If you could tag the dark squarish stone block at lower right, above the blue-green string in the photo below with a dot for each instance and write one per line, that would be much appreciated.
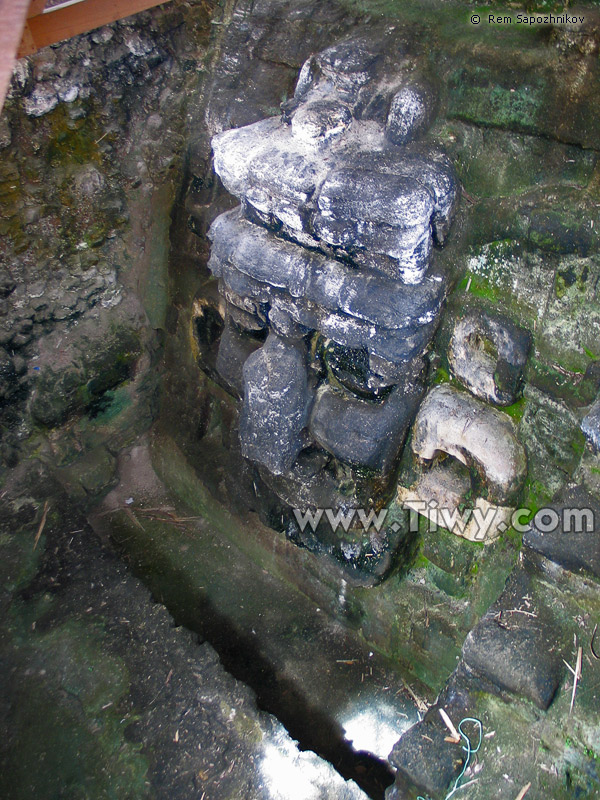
(517, 646)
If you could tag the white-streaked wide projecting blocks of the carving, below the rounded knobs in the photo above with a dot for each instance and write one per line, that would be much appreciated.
(386, 202)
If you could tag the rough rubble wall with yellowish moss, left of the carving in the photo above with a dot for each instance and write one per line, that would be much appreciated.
(93, 138)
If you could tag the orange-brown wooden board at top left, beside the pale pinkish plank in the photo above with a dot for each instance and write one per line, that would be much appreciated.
(63, 23)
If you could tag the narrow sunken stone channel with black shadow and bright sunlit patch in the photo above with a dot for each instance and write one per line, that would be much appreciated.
(335, 696)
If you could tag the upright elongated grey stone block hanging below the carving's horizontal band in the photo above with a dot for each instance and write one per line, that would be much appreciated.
(276, 404)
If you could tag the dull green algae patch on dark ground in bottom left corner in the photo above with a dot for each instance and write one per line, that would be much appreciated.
(66, 718)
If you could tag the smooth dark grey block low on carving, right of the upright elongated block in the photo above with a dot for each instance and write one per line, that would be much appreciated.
(368, 433)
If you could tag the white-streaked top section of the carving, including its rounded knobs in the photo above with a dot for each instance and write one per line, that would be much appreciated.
(328, 175)
